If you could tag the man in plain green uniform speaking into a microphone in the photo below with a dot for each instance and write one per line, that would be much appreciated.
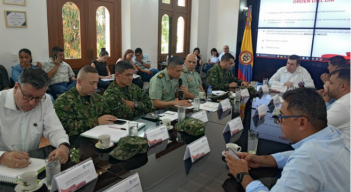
(164, 85)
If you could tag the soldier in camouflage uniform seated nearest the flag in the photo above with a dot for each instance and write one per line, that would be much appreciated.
(219, 76)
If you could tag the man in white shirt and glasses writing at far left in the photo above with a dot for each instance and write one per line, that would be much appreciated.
(26, 113)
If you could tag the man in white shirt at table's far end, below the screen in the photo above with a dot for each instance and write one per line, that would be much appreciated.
(292, 74)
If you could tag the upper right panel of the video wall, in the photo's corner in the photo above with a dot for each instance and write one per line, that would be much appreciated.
(334, 14)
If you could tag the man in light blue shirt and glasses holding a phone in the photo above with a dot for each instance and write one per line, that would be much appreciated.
(322, 156)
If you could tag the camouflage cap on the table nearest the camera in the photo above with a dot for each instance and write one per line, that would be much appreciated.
(129, 146)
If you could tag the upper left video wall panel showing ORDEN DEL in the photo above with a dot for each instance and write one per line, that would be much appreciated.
(287, 13)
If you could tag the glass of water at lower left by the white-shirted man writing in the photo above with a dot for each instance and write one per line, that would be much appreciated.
(52, 167)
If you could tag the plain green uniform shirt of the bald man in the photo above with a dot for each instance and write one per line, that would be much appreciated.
(191, 80)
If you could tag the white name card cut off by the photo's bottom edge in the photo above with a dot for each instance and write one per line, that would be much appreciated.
(130, 184)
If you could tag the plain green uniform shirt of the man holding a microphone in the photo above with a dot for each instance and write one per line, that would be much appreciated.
(162, 87)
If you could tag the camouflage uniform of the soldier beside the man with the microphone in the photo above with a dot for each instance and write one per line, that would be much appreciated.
(114, 95)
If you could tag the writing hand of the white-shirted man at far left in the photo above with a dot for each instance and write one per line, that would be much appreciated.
(15, 159)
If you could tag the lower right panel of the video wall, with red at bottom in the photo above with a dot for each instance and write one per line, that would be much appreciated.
(330, 42)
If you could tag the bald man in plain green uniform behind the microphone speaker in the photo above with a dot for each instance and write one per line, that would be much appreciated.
(191, 78)
